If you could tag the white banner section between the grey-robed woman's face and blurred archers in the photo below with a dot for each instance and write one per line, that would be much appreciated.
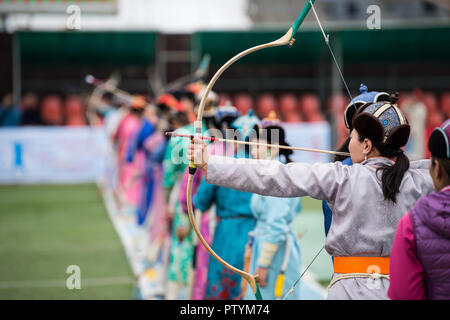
(309, 135)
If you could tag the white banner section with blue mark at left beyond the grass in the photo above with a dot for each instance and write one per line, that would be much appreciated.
(52, 154)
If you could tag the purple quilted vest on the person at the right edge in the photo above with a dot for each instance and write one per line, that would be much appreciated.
(430, 219)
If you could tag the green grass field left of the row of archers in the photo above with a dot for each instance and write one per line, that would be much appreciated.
(46, 228)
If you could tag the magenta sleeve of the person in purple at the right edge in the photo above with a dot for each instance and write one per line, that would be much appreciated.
(405, 270)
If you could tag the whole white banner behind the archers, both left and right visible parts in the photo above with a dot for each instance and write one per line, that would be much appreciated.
(76, 155)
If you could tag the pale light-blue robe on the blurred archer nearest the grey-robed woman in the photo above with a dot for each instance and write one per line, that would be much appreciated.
(274, 218)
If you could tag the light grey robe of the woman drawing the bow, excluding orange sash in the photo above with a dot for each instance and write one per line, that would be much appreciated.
(363, 222)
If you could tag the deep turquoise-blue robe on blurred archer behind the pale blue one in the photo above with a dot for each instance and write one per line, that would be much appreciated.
(235, 221)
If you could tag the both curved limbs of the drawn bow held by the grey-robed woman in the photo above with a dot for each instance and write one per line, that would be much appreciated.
(286, 39)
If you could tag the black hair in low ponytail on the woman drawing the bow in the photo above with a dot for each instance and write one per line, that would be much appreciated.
(392, 176)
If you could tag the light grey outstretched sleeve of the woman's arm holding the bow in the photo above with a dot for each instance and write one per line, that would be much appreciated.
(272, 178)
